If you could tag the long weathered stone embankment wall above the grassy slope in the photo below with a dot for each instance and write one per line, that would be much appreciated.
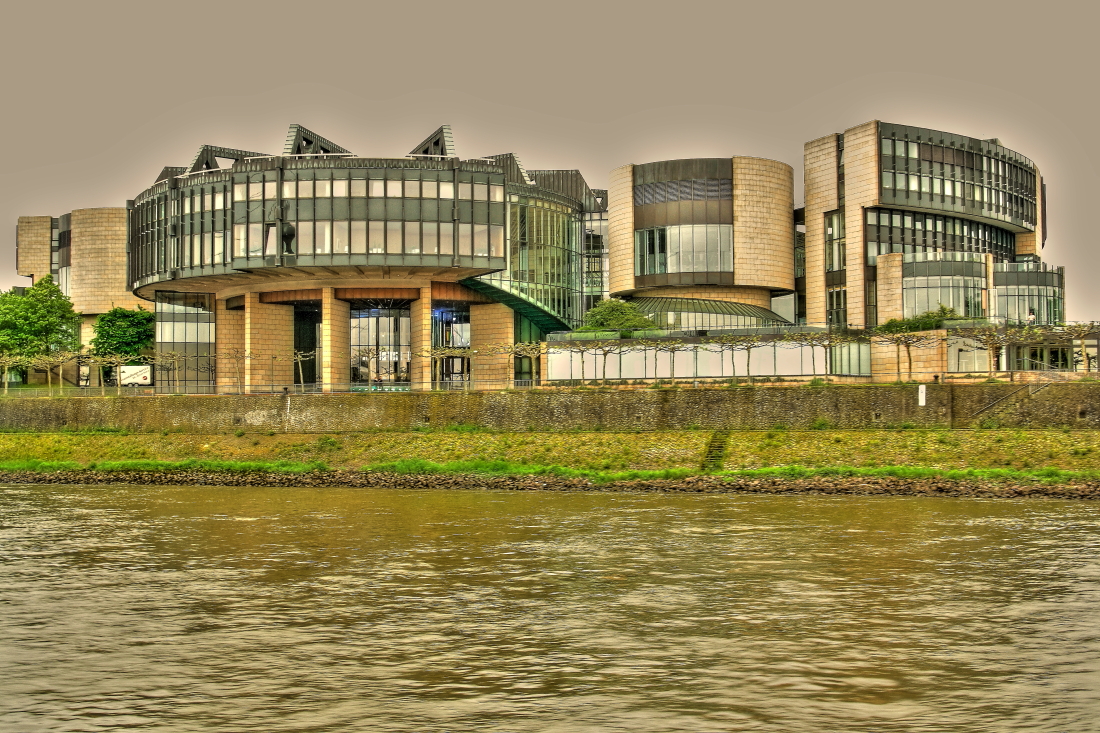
(1007, 406)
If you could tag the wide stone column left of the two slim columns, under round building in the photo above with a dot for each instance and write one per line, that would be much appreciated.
(269, 332)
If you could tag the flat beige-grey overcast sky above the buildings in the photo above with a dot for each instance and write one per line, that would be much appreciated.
(101, 96)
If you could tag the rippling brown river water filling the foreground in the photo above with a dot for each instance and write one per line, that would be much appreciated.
(208, 609)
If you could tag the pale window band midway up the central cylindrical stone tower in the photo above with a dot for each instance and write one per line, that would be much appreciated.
(685, 248)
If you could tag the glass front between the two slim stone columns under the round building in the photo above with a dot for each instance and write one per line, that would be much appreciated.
(381, 343)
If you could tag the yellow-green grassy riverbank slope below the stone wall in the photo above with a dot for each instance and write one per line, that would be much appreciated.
(591, 454)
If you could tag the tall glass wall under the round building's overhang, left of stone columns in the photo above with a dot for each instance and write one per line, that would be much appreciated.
(185, 326)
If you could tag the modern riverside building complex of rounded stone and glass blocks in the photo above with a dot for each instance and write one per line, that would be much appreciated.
(322, 267)
